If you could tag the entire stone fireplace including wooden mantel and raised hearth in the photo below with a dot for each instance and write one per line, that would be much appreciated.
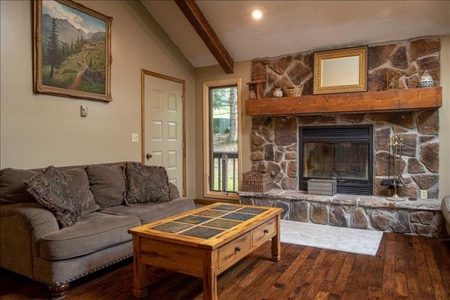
(276, 147)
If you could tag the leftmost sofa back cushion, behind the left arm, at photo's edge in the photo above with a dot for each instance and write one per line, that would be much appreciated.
(12, 188)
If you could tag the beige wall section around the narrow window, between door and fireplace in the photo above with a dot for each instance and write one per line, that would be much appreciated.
(242, 71)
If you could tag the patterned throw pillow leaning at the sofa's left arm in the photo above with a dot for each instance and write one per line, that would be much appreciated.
(51, 191)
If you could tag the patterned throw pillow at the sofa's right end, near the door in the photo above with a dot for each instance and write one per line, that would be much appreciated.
(146, 184)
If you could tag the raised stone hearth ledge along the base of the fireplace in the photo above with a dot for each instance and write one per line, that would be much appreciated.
(420, 217)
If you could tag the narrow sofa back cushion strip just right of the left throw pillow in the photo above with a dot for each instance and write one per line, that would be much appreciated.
(78, 183)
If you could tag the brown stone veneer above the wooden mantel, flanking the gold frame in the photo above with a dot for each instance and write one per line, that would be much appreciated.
(408, 59)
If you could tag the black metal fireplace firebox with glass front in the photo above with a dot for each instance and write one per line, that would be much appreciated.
(343, 153)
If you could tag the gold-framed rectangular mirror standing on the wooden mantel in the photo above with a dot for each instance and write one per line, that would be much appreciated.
(340, 71)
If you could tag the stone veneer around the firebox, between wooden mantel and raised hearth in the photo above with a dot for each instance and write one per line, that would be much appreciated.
(420, 161)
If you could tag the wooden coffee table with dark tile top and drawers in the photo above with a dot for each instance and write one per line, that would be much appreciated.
(203, 242)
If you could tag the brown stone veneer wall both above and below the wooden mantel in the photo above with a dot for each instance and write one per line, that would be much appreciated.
(274, 139)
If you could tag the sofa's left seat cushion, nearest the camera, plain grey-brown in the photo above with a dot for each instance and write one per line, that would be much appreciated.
(93, 232)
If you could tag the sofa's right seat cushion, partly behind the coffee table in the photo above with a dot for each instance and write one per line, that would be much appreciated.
(150, 213)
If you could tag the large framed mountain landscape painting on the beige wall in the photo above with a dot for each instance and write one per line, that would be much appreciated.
(72, 50)
